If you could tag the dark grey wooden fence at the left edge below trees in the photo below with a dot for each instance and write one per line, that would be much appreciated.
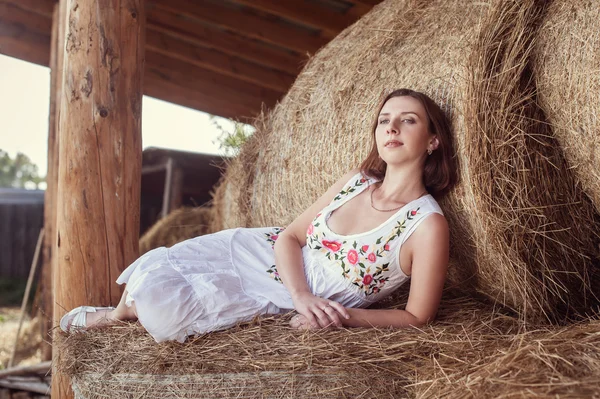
(21, 218)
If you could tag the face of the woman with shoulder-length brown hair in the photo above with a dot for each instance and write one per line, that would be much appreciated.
(402, 132)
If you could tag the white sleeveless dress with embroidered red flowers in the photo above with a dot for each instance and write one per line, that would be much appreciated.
(214, 281)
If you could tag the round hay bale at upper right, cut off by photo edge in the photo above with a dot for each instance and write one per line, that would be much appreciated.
(567, 66)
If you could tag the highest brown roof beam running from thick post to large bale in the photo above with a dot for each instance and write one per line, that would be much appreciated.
(224, 41)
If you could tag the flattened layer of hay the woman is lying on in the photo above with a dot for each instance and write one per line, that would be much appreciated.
(472, 350)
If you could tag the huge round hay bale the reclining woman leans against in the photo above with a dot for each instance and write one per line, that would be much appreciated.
(522, 233)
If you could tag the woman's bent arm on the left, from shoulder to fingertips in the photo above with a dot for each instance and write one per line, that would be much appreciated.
(288, 258)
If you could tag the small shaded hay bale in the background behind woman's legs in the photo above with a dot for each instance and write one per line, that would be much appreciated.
(177, 226)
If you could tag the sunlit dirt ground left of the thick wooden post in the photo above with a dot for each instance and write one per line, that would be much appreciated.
(28, 351)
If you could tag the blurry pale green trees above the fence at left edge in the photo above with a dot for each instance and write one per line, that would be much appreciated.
(19, 172)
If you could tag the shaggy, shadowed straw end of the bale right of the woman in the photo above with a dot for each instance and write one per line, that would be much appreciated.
(535, 231)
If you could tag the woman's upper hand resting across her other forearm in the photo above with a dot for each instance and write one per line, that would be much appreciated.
(319, 312)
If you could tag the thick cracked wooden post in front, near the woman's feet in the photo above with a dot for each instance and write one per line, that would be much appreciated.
(99, 170)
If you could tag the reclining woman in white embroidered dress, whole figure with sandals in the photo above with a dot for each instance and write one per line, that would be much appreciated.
(377, 227)
